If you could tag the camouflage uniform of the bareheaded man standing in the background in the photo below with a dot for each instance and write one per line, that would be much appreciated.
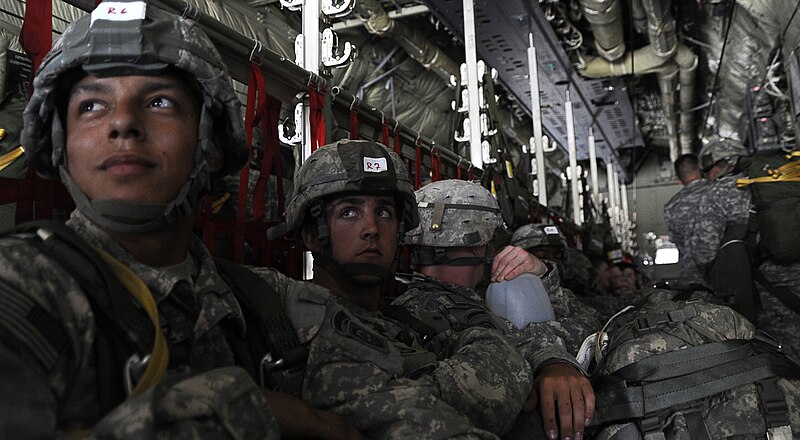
(681, 216)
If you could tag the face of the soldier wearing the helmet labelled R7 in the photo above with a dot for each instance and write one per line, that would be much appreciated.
(363, 229)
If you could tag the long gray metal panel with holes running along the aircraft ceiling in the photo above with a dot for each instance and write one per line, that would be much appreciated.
(502, 27)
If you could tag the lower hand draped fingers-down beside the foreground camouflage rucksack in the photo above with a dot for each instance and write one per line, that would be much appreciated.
(566, 393)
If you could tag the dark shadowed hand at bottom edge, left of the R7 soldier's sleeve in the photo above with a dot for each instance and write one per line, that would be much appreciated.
(298, 419)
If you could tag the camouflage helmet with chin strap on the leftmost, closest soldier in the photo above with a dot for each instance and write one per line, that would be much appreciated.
(132, 39)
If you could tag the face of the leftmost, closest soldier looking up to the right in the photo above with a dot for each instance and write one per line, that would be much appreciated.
(131, 138)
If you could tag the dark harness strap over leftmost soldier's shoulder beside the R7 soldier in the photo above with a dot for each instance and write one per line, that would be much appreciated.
(282, 357)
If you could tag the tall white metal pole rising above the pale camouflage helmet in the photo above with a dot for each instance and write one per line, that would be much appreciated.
(471, 56)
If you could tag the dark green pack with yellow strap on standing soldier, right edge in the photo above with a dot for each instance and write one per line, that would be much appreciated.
(774, 180)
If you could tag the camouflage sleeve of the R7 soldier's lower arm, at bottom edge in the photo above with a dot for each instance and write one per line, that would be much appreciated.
(365, 386)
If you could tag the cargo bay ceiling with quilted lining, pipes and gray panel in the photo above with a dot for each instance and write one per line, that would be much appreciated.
(649, 76)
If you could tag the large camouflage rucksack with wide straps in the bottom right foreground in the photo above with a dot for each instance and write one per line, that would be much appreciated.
(692, 370)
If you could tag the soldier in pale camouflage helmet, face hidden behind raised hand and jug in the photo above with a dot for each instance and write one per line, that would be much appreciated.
(452, 255)
